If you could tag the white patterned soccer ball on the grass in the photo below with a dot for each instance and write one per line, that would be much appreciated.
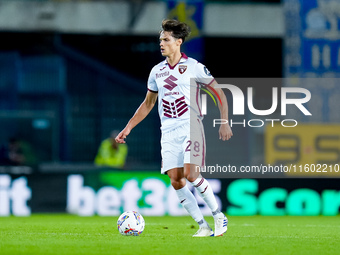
(131, 223)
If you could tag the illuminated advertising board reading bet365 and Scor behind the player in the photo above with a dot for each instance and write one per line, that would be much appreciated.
(109, 193)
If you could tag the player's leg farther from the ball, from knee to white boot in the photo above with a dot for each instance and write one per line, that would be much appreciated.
(204, 189)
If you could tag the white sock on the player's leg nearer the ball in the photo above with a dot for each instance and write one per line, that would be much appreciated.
(187, 199)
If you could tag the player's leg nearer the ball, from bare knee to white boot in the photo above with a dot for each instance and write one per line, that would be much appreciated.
(188, 201)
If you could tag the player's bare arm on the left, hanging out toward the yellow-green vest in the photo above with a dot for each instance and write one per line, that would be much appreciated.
(142, 111)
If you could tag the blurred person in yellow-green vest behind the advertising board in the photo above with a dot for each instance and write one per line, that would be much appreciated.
(111, 153)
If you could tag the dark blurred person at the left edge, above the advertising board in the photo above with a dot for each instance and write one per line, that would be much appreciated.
(18, 153)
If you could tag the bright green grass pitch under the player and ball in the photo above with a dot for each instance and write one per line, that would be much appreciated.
(67, 234)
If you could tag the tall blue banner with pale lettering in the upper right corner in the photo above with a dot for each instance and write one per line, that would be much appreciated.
(312, 50)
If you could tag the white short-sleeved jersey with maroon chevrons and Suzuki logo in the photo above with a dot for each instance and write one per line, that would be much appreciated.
(175, 98)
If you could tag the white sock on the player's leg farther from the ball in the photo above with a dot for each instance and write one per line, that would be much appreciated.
(205, 191)
